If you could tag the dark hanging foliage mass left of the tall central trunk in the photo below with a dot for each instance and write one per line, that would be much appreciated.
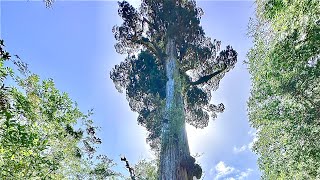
(144, 80)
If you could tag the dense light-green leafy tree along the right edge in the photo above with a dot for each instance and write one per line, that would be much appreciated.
(285, 96)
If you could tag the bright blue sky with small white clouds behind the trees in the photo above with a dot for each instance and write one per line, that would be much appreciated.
(73, 44)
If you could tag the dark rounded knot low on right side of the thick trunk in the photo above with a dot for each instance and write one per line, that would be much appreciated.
(191, 166)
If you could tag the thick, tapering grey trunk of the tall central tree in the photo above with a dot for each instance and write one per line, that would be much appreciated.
(174, 145)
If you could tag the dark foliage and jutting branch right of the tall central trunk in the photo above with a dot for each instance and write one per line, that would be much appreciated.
(199, 84)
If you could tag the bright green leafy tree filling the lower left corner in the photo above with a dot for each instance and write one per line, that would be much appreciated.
(38, 134)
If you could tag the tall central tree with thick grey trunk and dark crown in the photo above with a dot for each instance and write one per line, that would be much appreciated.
(168, 76)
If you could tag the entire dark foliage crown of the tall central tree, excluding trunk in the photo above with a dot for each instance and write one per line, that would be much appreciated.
(143, 35)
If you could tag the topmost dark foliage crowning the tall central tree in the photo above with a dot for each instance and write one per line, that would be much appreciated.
(155, 22)
